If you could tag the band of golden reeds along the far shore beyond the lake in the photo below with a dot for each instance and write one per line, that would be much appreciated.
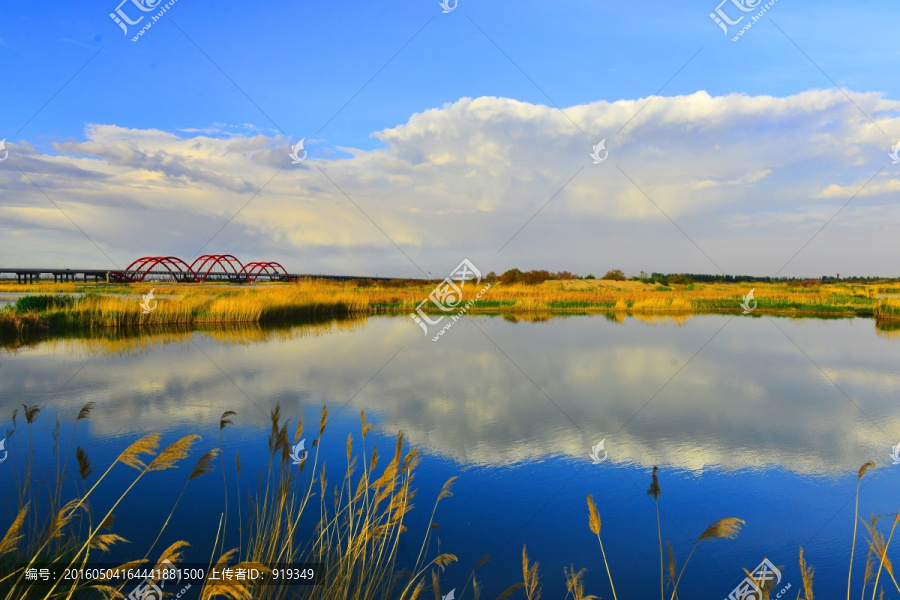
(56, 308)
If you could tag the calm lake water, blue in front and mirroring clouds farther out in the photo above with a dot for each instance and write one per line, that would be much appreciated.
(765, 419)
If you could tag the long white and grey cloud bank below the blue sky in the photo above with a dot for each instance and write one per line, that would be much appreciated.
(463, 178)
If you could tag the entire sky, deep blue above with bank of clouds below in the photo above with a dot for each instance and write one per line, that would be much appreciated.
(291, 70)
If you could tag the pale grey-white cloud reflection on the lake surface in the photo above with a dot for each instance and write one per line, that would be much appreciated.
(749, 399)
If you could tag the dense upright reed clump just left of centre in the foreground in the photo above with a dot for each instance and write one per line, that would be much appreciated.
(360, 519)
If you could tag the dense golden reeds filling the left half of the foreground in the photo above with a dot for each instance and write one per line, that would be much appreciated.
(358, 521)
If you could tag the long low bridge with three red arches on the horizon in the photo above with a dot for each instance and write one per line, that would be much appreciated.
(209, 267)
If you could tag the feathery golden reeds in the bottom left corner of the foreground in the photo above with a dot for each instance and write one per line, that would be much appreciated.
(67, 535)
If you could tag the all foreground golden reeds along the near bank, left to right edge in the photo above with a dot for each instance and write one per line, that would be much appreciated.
(355, 540)
